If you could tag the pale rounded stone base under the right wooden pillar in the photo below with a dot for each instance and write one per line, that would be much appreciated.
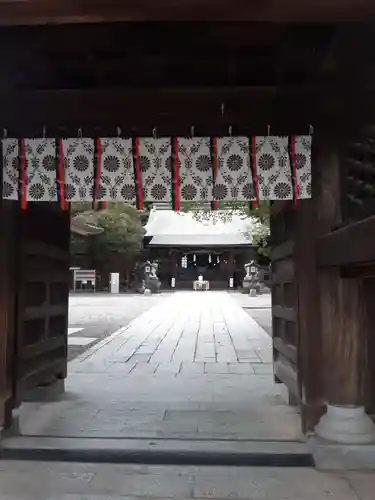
(346, 424)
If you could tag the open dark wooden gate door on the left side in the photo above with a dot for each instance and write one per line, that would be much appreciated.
(42, 301)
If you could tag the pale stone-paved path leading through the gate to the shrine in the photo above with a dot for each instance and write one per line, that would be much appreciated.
(195, 366)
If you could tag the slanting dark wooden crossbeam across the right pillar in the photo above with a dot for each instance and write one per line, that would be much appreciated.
(352, 244)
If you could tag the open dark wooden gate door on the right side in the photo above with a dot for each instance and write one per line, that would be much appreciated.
(295, 307)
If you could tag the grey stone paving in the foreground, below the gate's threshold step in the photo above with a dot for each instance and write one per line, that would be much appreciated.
(42, 481)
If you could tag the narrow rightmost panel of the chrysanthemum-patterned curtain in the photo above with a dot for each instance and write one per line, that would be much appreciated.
(303, 165)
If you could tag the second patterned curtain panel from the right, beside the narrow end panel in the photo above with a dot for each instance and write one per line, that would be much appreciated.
(273, 168)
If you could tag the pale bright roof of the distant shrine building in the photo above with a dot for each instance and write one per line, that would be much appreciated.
(168, 228)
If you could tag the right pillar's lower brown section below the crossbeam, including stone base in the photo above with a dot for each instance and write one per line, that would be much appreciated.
(344, 355)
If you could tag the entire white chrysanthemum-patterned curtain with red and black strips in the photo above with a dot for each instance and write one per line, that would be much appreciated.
(159, 163)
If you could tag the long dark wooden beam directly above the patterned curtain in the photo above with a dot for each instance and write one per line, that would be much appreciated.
(171, 110)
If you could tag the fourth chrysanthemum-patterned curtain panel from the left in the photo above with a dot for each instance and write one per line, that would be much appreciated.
(116, 171)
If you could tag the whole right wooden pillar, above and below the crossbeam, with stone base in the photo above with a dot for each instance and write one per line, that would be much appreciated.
(343, 317)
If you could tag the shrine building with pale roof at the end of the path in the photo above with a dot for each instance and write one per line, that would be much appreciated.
(187, 247)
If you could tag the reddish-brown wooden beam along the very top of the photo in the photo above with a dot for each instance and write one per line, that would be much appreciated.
(30, 12)
